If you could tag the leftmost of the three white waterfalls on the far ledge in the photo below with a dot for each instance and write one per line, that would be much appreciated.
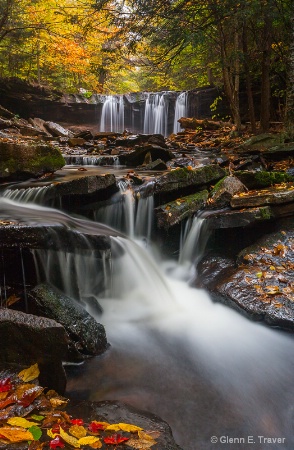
(112, 115)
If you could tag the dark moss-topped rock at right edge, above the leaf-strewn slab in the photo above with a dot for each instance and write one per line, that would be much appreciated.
(260, 179)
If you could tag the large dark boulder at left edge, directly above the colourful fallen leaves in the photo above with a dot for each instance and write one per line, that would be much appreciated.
(27, 339)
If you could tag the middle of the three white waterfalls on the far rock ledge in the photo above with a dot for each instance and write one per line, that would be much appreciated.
(156, 114)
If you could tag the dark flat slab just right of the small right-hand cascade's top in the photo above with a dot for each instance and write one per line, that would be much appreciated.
(239, 218)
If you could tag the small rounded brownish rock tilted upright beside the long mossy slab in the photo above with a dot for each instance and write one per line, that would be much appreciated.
(224, 191)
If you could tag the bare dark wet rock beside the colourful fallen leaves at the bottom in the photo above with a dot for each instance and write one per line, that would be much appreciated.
(117, 412)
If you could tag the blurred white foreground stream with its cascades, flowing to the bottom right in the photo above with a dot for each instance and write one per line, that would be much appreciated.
(199, 365)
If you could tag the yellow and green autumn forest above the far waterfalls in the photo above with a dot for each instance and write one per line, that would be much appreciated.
(138, 45)
